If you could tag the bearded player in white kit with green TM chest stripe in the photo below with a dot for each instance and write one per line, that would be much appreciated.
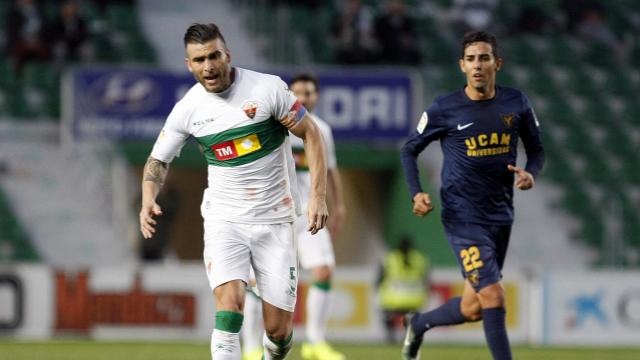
(240, 119)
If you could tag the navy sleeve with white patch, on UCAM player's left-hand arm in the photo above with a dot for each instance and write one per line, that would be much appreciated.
(430, 127)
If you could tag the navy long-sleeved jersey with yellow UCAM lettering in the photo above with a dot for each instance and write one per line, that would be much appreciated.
(478, 139)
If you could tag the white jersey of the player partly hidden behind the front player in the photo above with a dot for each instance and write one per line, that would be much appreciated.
(302, 167)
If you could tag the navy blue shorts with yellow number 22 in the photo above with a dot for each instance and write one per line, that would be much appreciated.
(480, 250)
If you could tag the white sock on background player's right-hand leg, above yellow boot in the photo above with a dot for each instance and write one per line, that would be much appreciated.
(318, 306)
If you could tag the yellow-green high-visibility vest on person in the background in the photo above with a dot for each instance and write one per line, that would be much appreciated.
(403, 287)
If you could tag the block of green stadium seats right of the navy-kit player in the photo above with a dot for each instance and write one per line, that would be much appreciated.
(609, 161)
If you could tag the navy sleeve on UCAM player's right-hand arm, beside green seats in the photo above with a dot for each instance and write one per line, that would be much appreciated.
(531, 139)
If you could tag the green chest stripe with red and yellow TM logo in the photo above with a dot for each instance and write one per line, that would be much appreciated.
(242, 145)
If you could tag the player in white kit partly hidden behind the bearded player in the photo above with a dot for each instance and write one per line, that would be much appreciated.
(315, 251)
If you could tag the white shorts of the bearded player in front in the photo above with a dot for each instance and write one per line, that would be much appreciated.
(230, 249)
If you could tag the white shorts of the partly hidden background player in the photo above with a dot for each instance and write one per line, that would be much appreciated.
(314, 250)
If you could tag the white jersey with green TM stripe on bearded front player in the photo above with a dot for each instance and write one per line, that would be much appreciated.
(251, 170)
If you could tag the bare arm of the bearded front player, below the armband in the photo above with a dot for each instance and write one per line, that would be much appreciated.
(314, 149)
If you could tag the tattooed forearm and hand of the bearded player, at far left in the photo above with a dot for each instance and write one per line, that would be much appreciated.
(153, 177)
